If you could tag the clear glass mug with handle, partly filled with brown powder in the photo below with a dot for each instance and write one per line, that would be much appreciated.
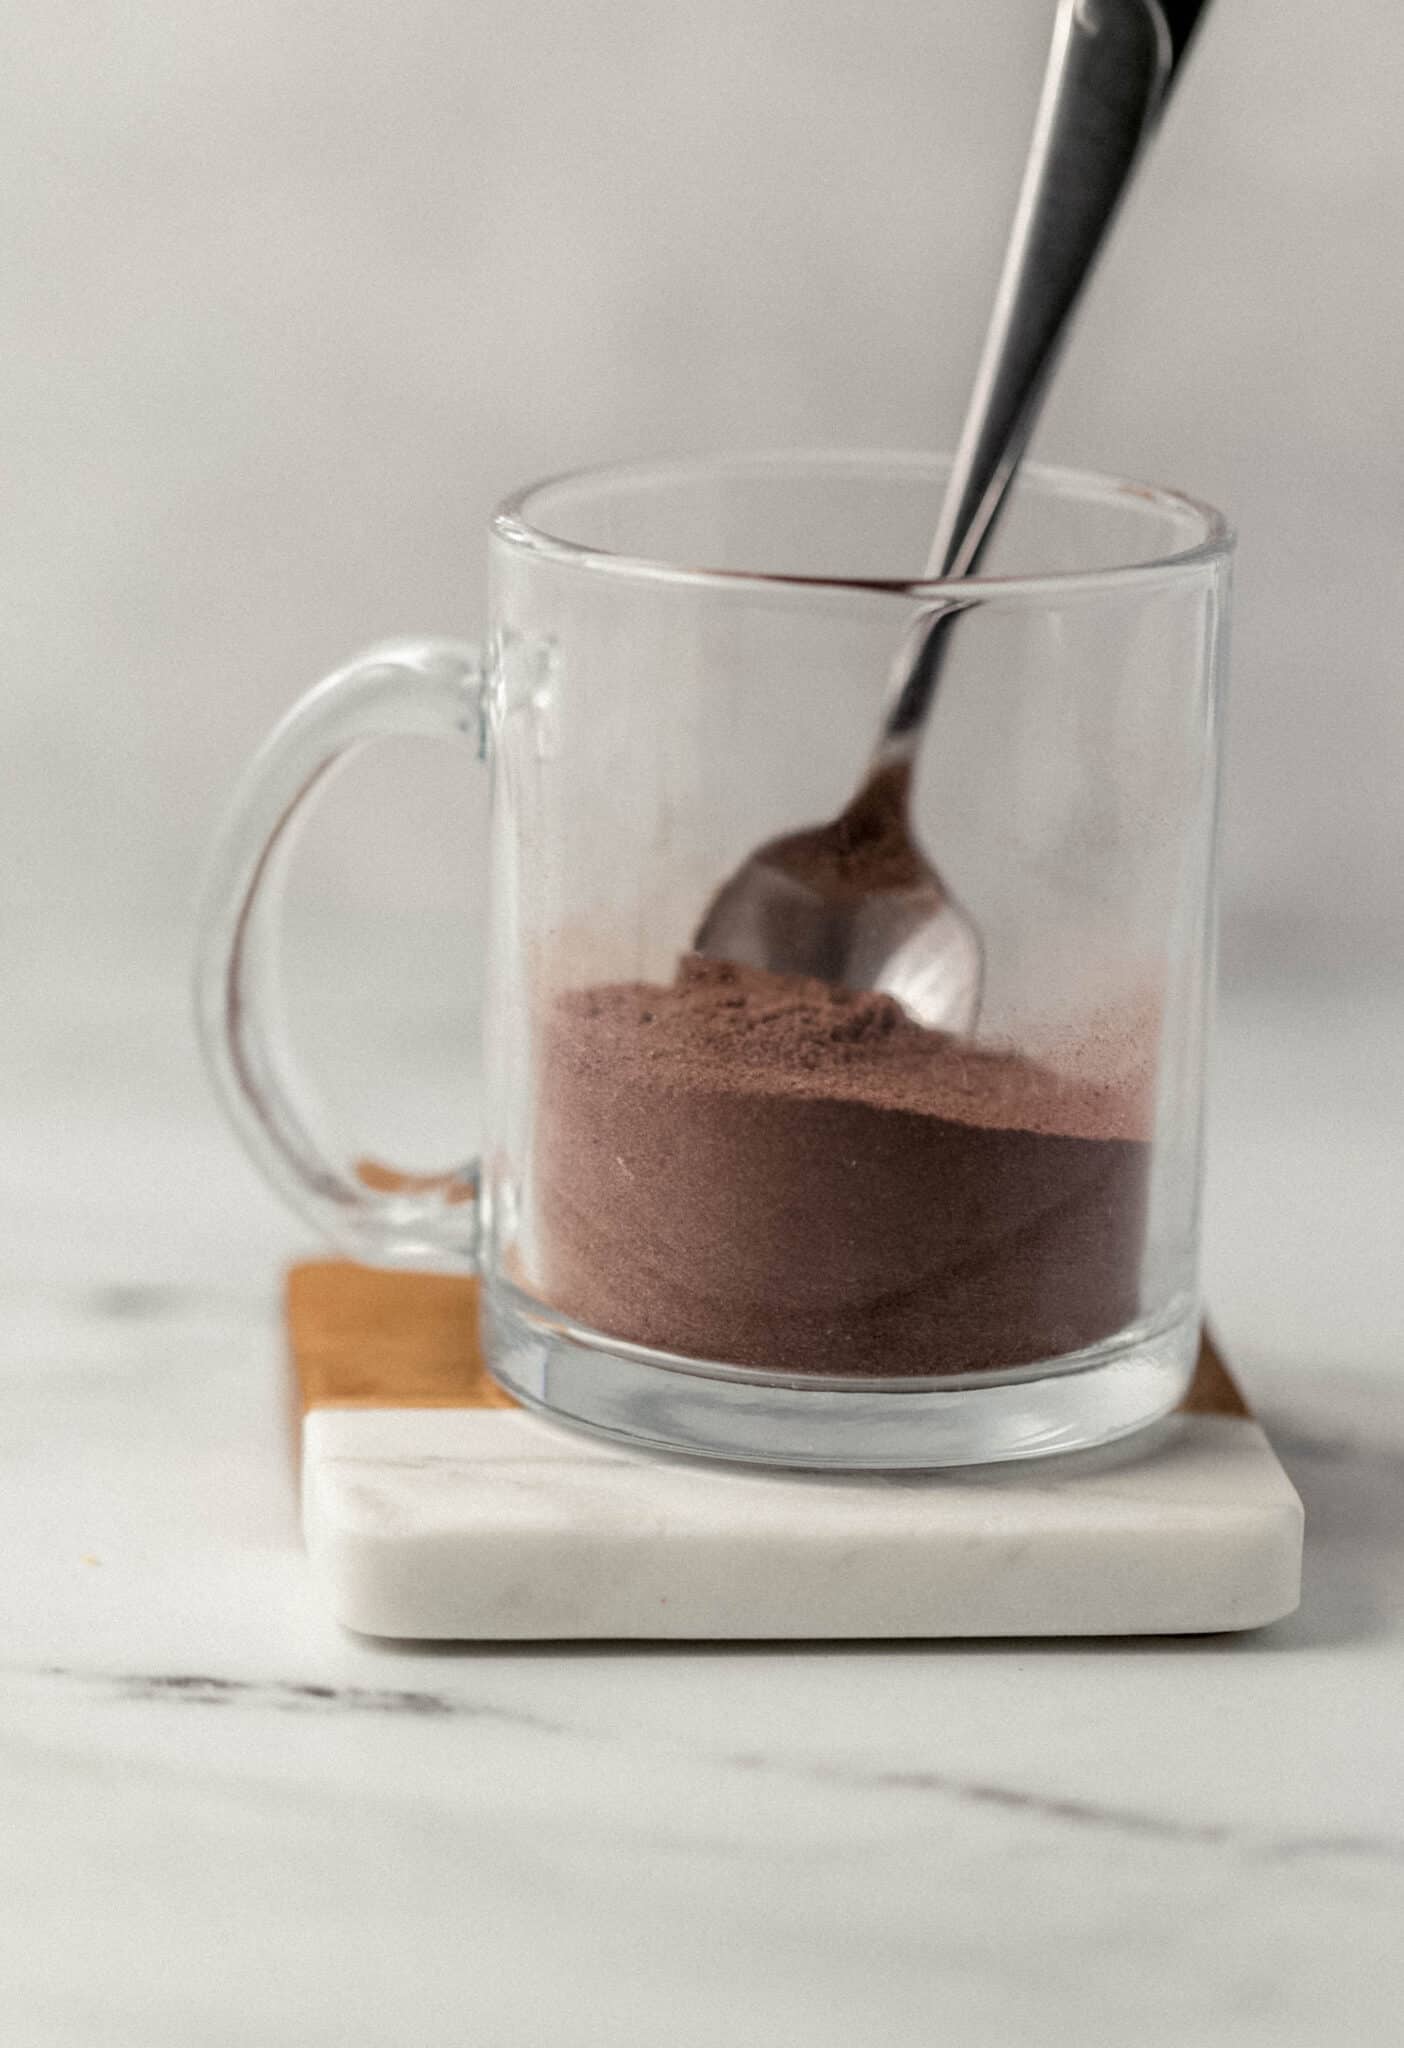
(779, 1222)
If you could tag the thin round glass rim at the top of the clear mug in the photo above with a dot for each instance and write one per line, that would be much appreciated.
(517, 525)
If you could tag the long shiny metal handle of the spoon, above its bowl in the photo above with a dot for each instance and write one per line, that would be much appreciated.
(1110, 71)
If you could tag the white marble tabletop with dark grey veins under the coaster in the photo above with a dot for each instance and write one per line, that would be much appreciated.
(224, 1822)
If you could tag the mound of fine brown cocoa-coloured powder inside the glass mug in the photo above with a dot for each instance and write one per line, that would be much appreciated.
(789, 1177)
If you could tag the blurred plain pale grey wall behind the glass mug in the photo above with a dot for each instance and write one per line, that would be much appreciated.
(294, 294)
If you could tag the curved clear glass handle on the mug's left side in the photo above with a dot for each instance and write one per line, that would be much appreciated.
(376, 1215)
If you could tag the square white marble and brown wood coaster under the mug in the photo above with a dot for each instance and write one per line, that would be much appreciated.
(437, 1508)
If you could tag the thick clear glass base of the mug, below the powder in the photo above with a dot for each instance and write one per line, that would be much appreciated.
(664, 1402)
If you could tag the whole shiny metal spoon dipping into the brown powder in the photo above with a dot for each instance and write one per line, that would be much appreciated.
(857, 900)
